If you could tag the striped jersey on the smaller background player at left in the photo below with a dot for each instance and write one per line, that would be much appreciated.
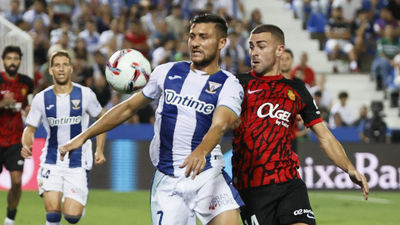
(64, 116)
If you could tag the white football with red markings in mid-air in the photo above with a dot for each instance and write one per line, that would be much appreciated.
(127, 71)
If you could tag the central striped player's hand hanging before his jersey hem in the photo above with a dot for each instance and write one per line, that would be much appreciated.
(195, 163)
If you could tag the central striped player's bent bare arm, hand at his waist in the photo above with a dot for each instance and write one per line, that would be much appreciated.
(223, 120)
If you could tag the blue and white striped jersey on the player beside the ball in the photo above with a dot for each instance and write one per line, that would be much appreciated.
(187, 102)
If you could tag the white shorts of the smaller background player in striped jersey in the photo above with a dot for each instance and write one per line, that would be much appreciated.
(72, 182)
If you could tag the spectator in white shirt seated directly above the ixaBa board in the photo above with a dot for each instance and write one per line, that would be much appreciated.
(341, 113)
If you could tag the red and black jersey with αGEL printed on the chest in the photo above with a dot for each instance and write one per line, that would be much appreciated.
(261, 145)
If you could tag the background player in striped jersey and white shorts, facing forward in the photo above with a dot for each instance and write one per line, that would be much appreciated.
(64, 109)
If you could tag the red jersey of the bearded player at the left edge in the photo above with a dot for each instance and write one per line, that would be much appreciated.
(10, 119)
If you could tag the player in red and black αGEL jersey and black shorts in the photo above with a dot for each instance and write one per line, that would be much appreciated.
(264, 166)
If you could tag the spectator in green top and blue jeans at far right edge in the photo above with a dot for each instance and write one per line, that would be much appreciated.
(387, 48)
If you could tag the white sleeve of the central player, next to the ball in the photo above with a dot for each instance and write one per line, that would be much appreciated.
(153, 88)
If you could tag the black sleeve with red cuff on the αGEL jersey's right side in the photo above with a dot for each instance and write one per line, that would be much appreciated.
(310, 113)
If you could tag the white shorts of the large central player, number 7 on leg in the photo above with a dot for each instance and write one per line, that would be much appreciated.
(178, 200)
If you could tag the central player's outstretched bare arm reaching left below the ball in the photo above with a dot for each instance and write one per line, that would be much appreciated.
(112, 118)
